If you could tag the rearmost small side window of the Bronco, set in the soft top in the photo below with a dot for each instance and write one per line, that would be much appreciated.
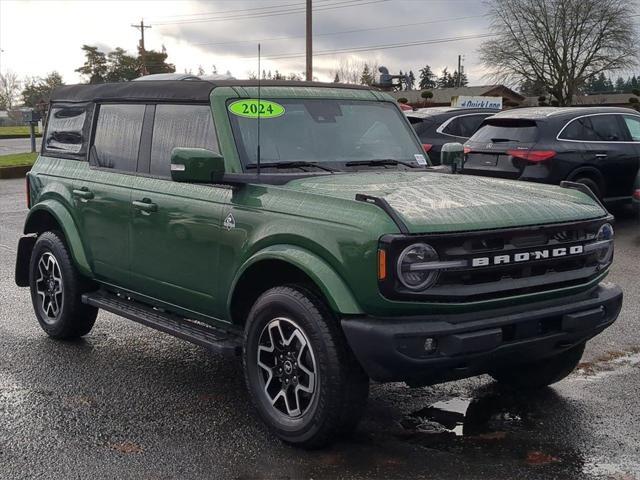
(67, 130)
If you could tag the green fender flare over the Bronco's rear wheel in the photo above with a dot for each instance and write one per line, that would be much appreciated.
(68, 227)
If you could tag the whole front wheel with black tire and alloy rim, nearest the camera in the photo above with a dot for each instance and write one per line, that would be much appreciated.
(303, 379)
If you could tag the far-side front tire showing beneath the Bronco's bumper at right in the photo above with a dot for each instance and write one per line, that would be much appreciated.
(535, 375)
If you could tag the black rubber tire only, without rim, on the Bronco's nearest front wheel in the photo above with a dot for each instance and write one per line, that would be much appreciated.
(342, 386)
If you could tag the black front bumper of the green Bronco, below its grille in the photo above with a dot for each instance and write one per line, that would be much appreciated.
(393, 349)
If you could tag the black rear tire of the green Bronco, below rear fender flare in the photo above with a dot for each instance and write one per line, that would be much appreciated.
(73, 318)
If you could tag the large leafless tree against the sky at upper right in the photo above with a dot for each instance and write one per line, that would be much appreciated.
(559, 44)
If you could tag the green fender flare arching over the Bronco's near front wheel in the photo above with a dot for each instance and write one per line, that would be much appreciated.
(332, 286)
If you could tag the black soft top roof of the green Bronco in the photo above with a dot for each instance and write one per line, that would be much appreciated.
(167, 90)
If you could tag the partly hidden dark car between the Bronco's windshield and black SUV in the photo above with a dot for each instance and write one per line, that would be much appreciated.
(439, 125)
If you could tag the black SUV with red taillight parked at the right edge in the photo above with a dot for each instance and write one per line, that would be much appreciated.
(599, 147)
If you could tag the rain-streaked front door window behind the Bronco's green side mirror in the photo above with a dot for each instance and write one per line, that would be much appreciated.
(180, 126)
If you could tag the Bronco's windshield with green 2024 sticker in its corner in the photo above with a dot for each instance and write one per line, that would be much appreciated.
(323, 131)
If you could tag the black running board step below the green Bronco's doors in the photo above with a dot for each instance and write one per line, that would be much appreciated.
(213, 339)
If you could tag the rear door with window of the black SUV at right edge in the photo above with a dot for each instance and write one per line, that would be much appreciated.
(609, 148)
